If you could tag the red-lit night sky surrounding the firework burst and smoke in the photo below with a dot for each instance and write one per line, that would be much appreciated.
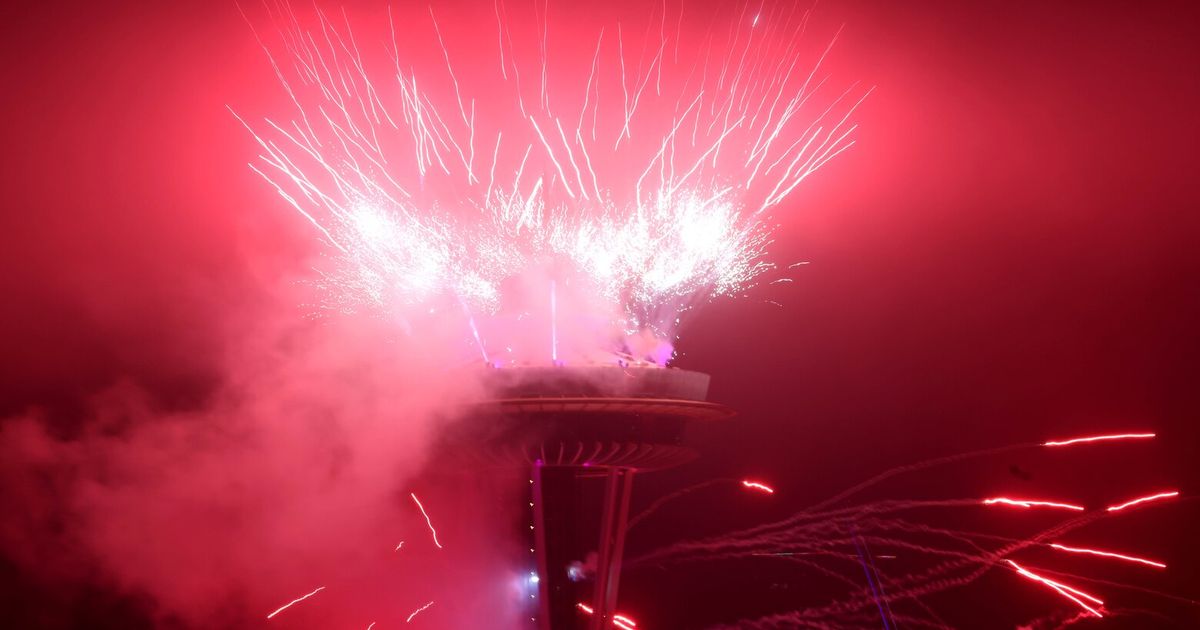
(1009, 255)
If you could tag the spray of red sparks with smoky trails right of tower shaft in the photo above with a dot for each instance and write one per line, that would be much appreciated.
(935, 557)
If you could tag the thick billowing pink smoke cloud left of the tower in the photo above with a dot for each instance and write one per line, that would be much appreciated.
(293, 475)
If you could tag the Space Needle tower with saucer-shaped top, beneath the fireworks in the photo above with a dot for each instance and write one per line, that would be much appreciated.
(577, 429)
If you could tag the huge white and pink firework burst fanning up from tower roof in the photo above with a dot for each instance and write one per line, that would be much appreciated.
(650, 185)
